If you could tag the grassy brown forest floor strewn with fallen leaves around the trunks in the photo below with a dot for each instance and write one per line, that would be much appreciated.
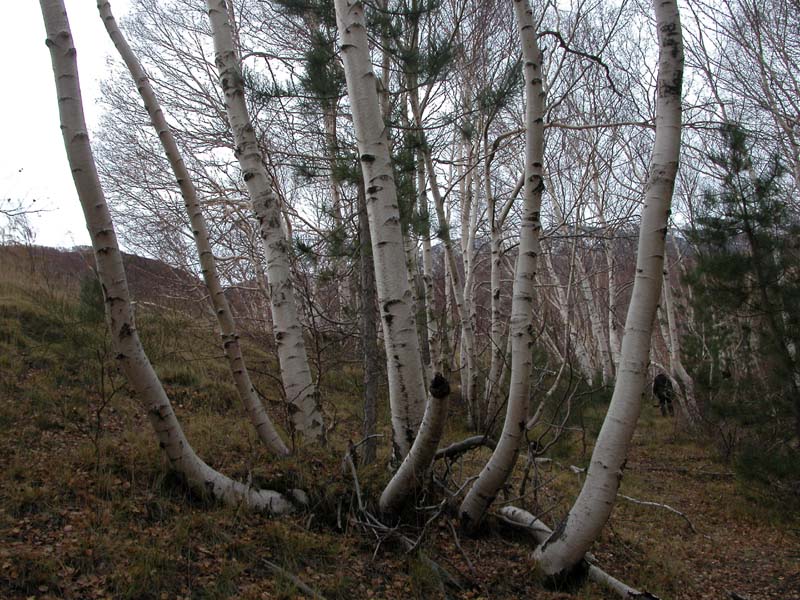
(89, 510)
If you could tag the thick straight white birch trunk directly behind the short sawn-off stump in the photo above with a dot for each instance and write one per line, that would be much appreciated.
(406, 385)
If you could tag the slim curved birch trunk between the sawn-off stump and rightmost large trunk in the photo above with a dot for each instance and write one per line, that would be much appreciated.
(496, 472)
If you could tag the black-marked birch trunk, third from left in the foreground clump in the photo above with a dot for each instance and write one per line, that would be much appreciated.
(300, 392)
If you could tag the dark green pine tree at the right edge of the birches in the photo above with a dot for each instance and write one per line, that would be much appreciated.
(745, 234)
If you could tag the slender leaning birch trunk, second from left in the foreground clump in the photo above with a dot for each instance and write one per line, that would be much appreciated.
(230, 338)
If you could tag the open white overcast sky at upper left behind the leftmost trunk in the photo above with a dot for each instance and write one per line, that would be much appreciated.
(32, 160)
